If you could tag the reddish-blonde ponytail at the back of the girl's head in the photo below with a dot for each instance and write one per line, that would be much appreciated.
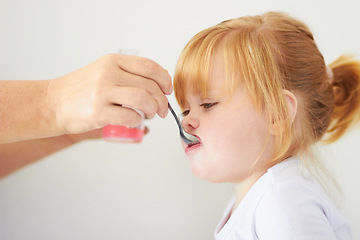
(346, 88)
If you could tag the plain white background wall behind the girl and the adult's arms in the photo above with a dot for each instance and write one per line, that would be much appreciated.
(100, 190)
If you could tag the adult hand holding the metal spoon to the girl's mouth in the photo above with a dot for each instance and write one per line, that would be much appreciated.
(95, 95)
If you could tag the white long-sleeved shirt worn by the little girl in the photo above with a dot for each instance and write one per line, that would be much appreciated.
(286, 203)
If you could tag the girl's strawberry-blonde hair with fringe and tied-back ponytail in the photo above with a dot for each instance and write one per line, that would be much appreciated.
(267, 54)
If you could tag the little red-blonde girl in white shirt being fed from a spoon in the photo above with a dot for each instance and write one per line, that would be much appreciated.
(257, 94)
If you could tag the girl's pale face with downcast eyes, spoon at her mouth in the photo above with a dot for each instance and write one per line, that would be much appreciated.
(231, 131)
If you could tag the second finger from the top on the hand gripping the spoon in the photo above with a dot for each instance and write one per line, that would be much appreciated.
(130, 80)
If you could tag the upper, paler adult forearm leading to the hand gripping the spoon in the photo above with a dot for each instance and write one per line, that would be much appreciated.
(25, 112)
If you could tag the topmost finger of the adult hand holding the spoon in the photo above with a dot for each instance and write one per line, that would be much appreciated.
(148, 69)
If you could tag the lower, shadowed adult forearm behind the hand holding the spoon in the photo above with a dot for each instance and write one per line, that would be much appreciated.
(14, 156)
